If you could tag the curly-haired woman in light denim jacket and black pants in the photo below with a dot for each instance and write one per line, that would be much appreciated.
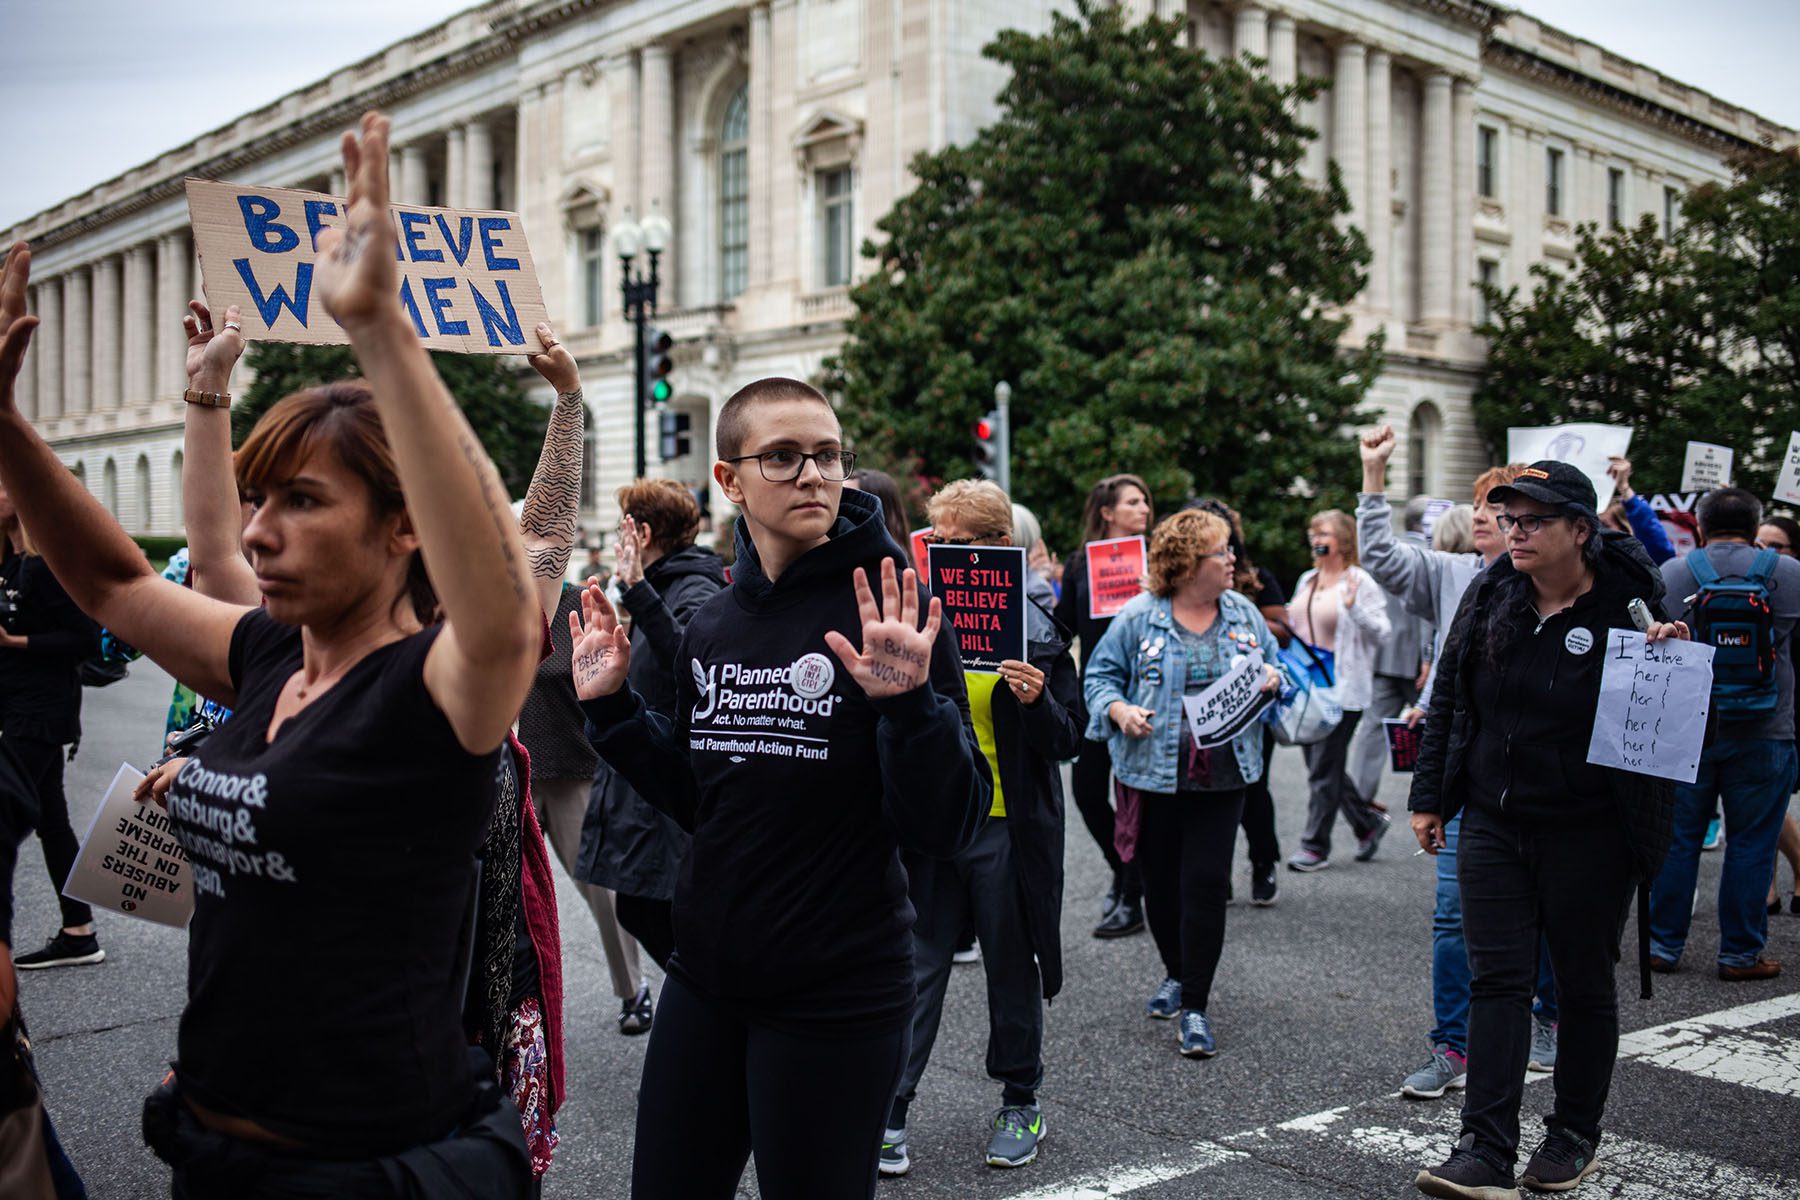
(1178, 640)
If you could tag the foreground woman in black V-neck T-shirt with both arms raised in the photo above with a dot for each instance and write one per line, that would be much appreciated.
(310, 1057)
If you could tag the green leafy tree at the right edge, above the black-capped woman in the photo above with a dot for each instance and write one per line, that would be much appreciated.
(1687, 339)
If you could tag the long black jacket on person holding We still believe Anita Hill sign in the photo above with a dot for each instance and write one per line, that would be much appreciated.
(1030, 744)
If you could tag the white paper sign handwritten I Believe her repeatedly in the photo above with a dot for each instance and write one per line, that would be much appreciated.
(1653, 706)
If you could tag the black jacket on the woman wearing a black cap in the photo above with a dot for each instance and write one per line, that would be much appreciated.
(1448, 757)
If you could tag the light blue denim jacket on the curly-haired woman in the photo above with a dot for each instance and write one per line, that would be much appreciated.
(1124, 668)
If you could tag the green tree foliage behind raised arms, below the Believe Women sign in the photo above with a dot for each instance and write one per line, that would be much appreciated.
(489, 388)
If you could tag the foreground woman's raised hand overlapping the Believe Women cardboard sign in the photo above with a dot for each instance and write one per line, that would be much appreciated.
(355, 276)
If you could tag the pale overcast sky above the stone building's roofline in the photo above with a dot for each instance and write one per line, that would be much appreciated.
(96, 87)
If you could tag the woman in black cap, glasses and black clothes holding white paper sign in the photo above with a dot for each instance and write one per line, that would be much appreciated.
(1549, 841)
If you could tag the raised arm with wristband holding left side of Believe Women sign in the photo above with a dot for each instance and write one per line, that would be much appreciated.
(210, 483)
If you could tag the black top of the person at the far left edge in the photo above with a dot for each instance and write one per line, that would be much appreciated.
(40, 694)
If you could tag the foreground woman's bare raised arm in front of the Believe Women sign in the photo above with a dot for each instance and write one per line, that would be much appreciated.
(481, 667)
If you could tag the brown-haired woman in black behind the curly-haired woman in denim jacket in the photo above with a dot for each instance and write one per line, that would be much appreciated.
(1119, 506)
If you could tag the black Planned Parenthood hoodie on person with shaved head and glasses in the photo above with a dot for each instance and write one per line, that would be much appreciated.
(802, 793)
